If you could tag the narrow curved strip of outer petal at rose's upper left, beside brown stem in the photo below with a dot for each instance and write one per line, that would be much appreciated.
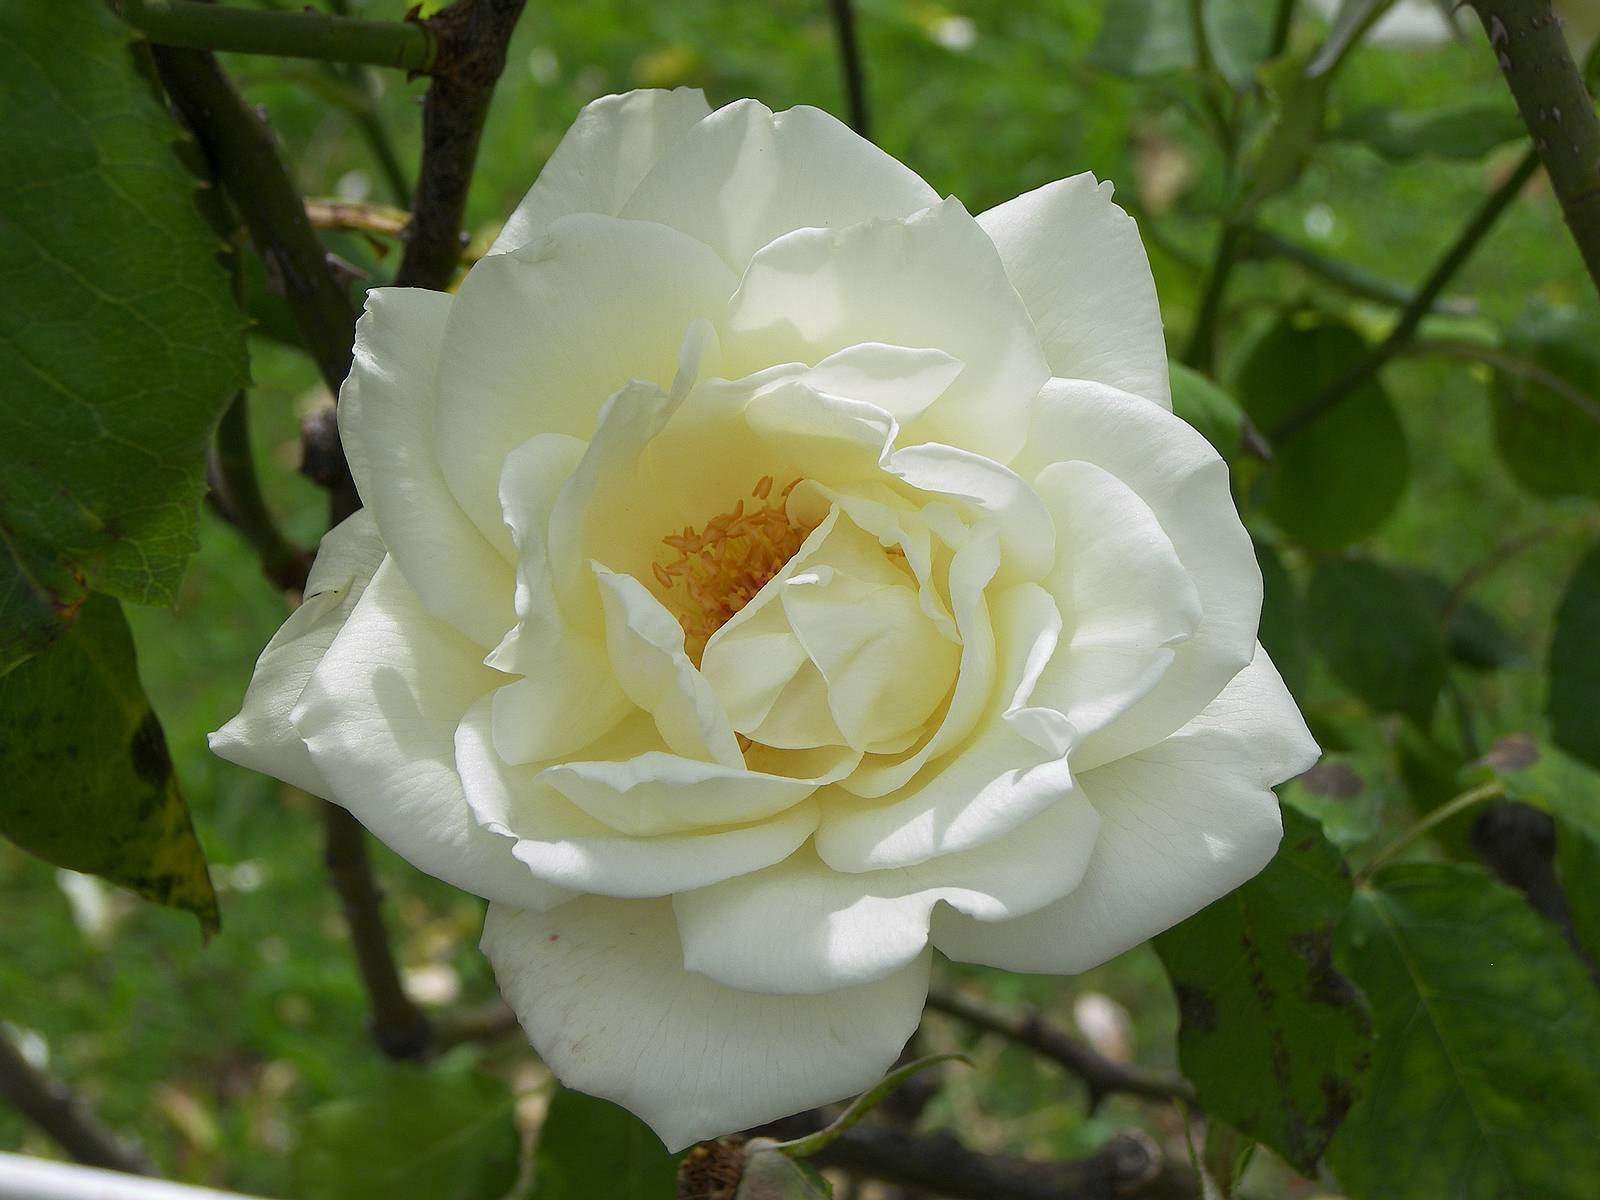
(386, 423)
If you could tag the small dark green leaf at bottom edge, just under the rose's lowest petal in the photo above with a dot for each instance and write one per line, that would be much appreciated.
(591, 1148)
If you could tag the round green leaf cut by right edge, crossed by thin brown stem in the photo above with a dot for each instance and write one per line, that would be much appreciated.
(1551, 441)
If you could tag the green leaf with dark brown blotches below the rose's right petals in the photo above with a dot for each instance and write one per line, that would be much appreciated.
(1273, 1036)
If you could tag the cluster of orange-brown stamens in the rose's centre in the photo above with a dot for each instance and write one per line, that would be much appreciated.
(721, 567)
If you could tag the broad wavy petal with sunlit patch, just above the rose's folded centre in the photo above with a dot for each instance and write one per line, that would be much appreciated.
(932, 281)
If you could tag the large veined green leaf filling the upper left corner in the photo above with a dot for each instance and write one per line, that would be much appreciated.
(121, 342)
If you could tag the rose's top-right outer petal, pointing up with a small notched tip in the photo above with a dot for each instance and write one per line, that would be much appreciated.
(1078, 262)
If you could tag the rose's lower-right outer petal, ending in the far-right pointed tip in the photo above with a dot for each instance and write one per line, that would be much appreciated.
(1182, 825)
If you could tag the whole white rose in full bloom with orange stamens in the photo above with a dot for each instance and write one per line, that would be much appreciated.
(772, 574)
